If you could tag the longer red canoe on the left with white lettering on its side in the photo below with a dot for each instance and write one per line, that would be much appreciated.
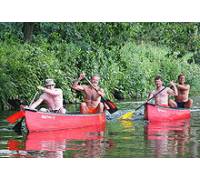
(40, 121)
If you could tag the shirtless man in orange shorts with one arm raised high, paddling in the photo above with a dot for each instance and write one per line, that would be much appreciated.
(92, 99)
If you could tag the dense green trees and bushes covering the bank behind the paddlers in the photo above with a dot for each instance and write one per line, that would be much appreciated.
(126, 55)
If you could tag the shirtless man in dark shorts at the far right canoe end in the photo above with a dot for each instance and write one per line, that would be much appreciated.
(182, 100)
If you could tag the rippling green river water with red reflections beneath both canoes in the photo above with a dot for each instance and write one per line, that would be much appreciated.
(120, 139)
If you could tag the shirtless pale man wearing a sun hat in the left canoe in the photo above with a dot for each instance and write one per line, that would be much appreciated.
(52, 96)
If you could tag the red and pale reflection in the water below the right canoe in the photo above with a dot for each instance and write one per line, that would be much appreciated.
(168, 139)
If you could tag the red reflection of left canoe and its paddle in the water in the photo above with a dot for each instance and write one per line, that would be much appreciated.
(83, 142)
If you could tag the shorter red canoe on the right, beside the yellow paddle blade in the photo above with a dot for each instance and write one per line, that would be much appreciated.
(154, 113)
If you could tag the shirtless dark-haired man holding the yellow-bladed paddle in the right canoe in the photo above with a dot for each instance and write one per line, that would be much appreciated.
(162, 99)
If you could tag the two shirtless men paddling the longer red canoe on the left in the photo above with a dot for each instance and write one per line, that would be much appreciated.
(54, 96)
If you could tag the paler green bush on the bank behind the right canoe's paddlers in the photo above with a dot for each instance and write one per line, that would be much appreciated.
(141, 63)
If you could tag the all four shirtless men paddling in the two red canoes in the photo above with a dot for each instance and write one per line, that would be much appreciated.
(93, 93)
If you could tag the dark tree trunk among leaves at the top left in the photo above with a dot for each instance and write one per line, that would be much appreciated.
(28, 31)
